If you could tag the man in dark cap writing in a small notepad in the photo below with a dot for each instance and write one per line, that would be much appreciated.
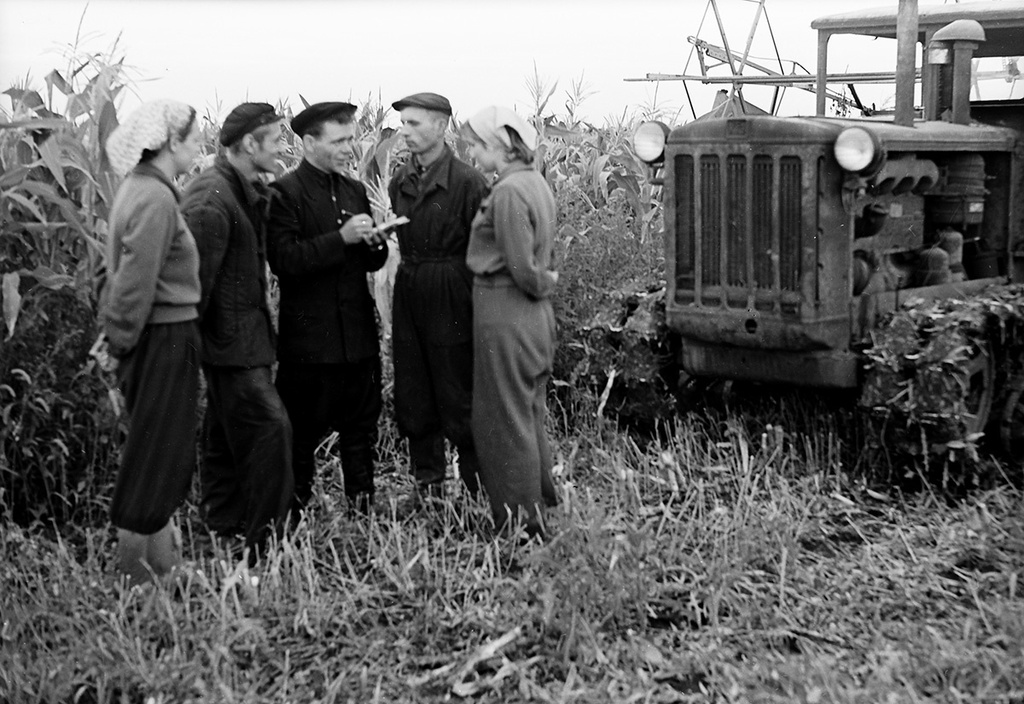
(322, 245)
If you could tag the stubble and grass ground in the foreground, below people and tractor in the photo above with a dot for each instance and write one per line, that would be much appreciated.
(717, 562)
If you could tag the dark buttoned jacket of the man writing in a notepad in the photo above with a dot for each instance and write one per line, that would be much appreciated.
(327, 314)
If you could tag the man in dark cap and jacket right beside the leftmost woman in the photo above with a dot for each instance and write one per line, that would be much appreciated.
(246, 471)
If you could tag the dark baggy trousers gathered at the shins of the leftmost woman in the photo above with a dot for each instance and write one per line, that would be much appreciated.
(160, 383)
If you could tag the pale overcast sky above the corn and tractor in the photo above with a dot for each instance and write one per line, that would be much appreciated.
(217, 54)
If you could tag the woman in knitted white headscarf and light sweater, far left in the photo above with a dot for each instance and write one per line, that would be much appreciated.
(149, 317)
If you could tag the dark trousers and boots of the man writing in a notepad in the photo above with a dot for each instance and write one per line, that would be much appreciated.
(346, 399)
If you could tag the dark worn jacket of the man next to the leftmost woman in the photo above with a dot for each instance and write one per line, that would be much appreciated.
(227, 215)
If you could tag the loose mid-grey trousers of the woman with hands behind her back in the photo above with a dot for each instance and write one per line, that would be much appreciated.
(515, 345)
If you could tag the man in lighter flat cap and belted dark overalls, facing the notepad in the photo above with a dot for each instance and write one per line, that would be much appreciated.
(433, 320)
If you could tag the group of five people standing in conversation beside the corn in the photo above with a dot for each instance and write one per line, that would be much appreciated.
(188, 288)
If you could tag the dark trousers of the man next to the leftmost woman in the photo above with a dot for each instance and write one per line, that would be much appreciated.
(247, 454)
